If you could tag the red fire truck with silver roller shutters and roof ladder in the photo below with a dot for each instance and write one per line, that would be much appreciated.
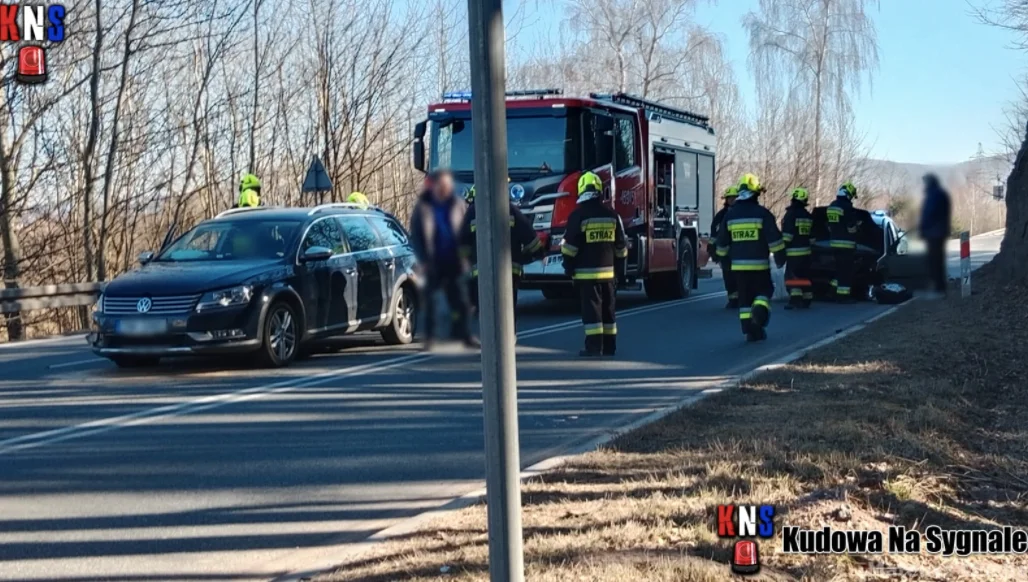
(657, 164)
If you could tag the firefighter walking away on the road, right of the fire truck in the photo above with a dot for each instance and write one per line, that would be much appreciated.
(748, 238)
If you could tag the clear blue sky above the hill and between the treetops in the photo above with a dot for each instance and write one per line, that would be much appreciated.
(942, 87)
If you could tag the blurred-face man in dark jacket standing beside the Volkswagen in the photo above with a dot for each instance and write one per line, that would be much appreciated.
(435, 228)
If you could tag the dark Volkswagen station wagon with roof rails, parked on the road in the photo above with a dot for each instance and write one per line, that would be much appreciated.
(265, 280)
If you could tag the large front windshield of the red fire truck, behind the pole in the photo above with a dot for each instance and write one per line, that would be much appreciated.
(536, 147)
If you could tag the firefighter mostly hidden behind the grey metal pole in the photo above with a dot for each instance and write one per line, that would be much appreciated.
(526, 246)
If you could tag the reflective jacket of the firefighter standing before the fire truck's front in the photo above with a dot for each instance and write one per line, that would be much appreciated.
(595, 243)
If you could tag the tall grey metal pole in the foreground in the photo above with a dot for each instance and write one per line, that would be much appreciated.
(496, 295)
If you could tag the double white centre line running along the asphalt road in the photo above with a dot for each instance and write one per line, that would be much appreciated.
(149, 416)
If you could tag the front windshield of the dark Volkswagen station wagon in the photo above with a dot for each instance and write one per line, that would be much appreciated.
(229, 240)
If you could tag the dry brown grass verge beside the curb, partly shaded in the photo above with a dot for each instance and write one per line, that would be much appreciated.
(919, 420)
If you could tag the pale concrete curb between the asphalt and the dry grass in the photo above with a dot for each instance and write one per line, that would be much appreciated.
(414, 524)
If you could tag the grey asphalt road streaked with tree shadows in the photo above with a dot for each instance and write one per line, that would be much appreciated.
(202, 470)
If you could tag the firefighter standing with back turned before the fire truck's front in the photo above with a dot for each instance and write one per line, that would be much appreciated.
(595, 253)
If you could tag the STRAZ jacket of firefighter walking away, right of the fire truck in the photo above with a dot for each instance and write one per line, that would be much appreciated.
(750, 236)
